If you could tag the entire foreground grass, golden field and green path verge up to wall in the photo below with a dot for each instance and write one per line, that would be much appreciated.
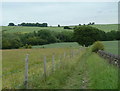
(81, 71)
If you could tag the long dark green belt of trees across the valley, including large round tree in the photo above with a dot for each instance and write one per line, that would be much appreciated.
(84, 35)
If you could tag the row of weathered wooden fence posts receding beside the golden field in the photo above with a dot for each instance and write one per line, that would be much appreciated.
(62, 57)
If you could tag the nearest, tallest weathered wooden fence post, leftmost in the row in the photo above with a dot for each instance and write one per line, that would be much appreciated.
(26, 72)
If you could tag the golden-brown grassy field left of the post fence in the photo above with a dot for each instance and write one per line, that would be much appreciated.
(13, 63)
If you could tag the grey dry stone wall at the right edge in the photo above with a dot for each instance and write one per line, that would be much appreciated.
(113, 59)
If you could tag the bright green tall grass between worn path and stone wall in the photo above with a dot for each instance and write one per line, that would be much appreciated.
(102, 74)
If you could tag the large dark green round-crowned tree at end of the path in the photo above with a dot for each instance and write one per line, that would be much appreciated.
(86, 35)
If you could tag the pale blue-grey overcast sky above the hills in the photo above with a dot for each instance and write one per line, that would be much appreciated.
(63, 13)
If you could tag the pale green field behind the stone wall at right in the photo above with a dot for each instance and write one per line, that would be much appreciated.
(111, 46)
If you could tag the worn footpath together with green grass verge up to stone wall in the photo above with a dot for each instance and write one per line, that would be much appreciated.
(93, 72)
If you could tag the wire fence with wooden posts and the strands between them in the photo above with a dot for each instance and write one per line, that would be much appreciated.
(46, 68)
